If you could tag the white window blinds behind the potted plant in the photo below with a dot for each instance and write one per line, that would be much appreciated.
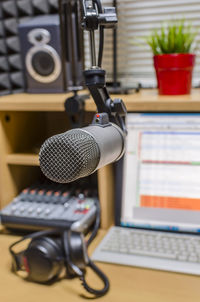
(137, 19)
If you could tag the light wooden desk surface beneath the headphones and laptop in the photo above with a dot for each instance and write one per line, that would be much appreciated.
(128, 284)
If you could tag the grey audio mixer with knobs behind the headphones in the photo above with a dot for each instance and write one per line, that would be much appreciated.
(47, 206)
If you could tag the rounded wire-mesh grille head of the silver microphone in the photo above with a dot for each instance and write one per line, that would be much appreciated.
(68, 156)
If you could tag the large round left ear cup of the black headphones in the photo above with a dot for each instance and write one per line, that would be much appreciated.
(43, 259)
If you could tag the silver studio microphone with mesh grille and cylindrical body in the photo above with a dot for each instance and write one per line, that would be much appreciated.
(80, 152)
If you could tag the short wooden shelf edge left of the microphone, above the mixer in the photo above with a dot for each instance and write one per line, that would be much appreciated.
(24, 159)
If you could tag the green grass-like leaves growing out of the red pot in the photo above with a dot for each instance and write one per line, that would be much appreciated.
(176, 37)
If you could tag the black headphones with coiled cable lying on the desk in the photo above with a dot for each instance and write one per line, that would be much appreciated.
(45, 258)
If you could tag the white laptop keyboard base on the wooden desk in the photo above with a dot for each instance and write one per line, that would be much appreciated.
(150, 249)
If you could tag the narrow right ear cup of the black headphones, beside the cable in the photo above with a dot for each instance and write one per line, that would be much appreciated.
(78, 250)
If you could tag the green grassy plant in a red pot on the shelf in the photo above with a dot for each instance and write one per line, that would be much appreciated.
(173, 57)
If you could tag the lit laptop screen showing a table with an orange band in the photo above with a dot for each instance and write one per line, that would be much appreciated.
(161, 172)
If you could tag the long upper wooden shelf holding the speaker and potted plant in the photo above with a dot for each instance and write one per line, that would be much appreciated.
(145, 100)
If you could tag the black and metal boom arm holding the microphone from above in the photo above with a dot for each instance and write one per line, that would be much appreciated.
(95, 17)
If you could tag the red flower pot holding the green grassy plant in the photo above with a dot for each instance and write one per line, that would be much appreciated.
(174, 73)
